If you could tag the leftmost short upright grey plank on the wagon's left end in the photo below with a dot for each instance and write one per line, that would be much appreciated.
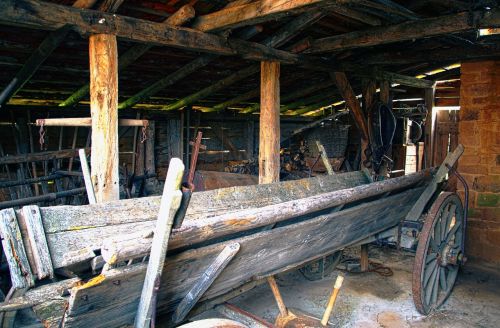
(12, 244)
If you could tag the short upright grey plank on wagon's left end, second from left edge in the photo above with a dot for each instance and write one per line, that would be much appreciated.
(38, 242)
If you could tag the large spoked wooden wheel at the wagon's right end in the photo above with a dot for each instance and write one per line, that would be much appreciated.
(438, 254)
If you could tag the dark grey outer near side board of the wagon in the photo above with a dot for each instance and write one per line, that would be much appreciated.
(110, 300)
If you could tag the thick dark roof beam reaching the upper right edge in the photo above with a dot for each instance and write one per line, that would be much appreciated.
(411, 30)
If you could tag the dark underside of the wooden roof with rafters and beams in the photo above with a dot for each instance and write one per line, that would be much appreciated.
(363, 38)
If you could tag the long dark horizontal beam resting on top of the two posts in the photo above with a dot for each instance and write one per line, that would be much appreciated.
(35, 13)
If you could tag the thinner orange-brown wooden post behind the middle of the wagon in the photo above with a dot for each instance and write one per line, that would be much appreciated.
(269, 135)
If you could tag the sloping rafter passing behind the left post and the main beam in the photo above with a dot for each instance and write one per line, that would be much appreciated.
(181, 16)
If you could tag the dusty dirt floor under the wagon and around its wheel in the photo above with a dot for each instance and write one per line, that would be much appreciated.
(371, 300)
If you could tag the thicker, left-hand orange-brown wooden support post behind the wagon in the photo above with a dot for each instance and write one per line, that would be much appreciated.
(103, 56)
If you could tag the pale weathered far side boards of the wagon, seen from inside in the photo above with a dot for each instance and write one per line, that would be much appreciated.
(78, 228)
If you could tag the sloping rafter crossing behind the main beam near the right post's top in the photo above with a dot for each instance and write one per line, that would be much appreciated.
(279, 38)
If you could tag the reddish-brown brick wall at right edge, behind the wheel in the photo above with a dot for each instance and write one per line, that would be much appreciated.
(479, 132)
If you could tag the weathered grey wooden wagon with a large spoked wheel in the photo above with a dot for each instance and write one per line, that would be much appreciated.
(277, 226)
